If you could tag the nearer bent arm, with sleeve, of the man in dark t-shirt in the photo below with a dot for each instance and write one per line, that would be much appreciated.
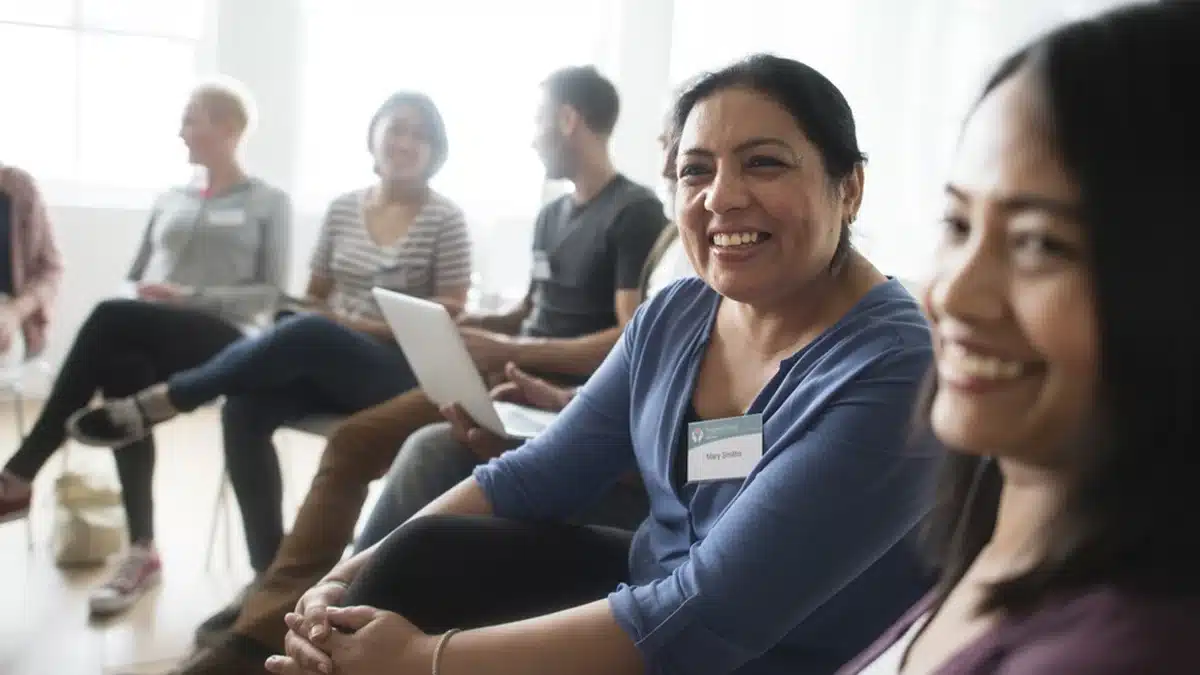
(632, 238)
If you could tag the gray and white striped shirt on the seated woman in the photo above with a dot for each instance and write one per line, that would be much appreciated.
(433, 259)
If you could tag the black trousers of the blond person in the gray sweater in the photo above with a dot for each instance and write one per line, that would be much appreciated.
(122, 349)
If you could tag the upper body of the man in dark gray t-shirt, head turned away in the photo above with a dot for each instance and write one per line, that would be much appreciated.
(589, 248)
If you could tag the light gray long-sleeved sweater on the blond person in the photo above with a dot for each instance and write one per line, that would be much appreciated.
(232, 249)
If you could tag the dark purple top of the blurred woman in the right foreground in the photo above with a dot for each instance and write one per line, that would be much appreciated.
(1103, 632)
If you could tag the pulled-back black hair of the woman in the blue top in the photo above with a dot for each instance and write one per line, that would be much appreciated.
(818, 106)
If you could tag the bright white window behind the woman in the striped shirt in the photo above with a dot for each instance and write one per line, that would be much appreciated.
(481, 63)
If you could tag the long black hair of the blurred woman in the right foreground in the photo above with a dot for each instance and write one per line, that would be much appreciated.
(1123, 114)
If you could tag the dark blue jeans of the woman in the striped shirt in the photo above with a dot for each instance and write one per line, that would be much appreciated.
(303, 366)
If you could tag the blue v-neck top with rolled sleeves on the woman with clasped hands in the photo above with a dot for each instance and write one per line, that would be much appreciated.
(800, 566)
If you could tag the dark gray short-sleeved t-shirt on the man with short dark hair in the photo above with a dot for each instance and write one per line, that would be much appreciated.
(584, 254)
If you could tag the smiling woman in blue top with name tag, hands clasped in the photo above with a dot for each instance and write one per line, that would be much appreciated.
(766, 407)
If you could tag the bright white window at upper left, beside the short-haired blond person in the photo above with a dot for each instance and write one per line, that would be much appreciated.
(101, 100)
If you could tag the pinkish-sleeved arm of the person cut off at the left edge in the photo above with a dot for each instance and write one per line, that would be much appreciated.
(45, 270)
